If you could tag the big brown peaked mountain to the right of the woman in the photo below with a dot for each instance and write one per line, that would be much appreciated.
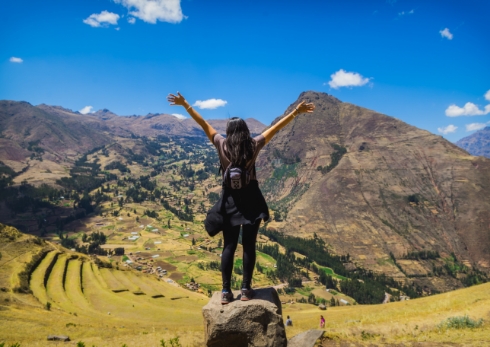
(397, 189)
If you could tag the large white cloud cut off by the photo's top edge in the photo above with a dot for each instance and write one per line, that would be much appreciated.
(152, 11)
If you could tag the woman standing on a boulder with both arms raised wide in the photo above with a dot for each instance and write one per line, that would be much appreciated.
(241, 201)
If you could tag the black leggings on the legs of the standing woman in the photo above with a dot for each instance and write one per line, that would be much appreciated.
(249, 238)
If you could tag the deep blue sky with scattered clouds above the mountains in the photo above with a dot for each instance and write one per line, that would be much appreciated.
(424, 62)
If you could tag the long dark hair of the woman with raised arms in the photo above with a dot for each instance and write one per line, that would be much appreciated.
(240, 146)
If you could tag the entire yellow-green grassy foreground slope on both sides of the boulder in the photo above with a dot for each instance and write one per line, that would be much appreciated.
(101, 306)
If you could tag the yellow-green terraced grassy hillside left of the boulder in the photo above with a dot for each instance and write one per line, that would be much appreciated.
(47, 289)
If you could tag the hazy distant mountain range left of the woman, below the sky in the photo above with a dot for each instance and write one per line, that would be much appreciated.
(62, 135)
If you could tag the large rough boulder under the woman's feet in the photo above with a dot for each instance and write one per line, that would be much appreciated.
(254, 323)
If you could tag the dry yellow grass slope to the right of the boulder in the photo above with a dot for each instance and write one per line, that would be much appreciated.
(412, 321)
